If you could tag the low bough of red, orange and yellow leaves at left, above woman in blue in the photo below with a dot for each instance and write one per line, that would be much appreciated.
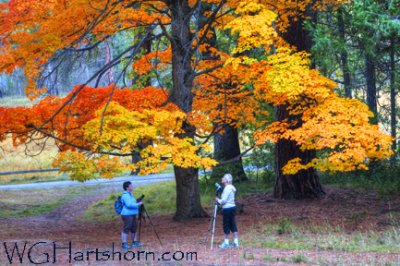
(133, 121)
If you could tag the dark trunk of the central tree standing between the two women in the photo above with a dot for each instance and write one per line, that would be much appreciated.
(187, 190)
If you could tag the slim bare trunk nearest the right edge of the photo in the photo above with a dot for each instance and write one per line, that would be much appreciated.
(393, 98)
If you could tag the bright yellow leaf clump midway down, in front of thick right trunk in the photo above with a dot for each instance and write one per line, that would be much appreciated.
(286, 78)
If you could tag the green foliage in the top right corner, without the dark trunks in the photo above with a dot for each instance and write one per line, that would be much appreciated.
(368, 29)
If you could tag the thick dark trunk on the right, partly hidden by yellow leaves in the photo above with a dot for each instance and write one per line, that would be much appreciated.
(304, 184)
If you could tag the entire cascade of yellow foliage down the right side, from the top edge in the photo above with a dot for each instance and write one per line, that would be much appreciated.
(337, 127)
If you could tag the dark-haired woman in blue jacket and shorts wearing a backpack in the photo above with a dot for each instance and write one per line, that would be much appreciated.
(128, 214)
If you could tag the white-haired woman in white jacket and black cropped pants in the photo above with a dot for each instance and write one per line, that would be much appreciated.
(227, 201)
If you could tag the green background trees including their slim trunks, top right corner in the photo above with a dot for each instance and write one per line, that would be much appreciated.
(363, 29)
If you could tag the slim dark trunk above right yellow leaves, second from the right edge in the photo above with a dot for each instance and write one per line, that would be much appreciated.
(370, 76)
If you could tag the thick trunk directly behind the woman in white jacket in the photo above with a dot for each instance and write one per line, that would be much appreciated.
(226, 147)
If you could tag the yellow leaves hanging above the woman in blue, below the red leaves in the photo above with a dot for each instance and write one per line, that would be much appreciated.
(153, 133)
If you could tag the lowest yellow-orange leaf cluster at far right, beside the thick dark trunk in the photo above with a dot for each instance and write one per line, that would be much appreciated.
(339, 127)
